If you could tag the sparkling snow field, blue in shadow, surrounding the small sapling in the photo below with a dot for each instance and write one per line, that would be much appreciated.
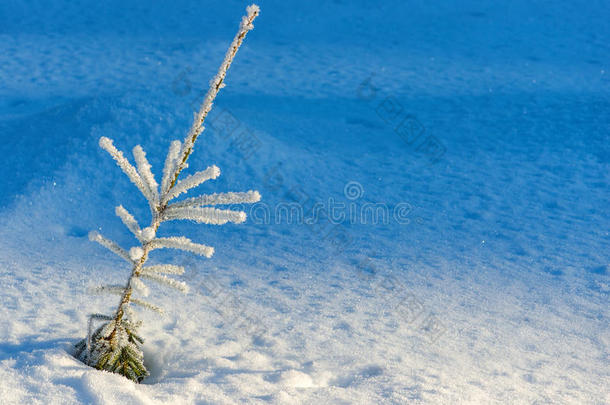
(491, 286)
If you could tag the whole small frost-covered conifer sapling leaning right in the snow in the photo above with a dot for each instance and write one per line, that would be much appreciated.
(115, 345)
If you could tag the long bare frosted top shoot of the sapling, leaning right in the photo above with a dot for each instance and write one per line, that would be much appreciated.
(216, 84)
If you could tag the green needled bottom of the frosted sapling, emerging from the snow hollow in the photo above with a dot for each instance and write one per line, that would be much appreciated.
(115, 349)
